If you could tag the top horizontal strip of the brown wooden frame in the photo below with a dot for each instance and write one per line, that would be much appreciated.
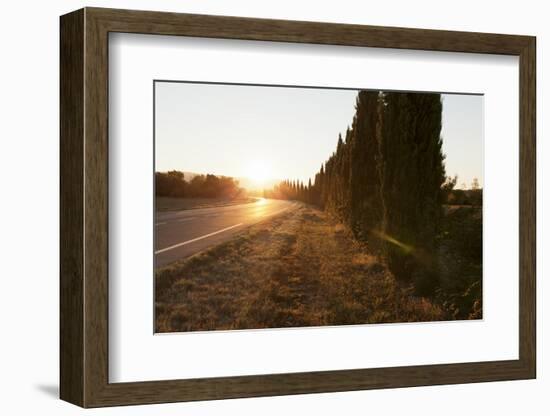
(163, 23)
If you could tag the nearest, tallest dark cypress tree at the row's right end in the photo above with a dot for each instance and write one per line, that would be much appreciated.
(412, 172)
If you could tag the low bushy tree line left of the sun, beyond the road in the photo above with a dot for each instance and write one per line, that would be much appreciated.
(173, 184)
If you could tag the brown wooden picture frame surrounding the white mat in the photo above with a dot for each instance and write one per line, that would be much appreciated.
(84, 207)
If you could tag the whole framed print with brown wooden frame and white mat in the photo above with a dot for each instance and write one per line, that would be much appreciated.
(255, 207)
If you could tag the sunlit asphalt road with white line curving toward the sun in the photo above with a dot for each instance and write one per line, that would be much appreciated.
(179, 234)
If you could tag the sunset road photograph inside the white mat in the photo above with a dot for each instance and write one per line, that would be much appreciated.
(280, 206)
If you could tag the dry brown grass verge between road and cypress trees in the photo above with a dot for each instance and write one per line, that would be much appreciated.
(299, 269)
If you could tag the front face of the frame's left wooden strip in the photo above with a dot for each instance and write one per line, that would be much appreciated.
(96, 229)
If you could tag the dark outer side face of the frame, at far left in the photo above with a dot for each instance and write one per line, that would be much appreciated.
(71, 208)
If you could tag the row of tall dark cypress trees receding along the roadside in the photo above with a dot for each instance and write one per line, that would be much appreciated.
(384, 181)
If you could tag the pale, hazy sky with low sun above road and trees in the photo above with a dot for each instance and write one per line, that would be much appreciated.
(282, 132)
